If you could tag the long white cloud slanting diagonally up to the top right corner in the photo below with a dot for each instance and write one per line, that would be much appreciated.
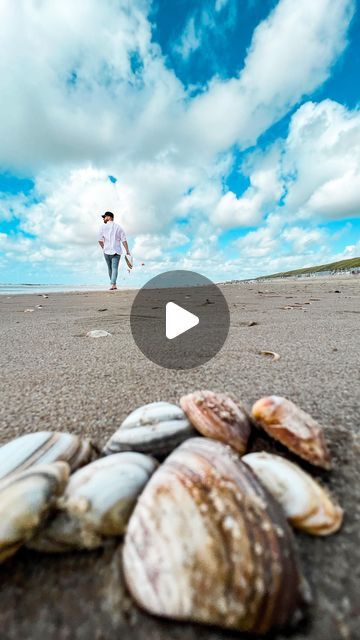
(291, 53)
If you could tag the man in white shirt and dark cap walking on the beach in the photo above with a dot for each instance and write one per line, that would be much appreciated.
(111, 235)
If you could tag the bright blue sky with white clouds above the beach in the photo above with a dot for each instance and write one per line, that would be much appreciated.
(232, 128)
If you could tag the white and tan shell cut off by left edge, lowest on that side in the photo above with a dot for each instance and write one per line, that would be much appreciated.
(25, 500)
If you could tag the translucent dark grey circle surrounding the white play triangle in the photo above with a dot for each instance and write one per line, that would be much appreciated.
(192, 292)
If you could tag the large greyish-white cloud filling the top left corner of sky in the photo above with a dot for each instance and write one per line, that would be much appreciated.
(82, 77)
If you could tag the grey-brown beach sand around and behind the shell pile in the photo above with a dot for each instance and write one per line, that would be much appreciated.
(53, 377)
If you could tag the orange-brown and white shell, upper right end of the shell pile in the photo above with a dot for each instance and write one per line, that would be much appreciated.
(294, 428)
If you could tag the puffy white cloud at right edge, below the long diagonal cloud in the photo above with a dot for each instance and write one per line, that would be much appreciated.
(315, 171)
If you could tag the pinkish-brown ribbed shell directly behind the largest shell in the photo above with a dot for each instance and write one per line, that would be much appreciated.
(217, 416)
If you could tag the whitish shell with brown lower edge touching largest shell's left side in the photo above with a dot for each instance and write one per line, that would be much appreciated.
(97, 503)
